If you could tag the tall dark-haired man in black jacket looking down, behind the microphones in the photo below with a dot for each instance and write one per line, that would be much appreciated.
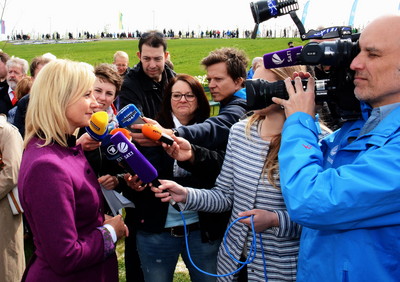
(143, 86)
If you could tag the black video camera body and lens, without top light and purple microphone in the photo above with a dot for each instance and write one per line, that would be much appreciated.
(336, 89)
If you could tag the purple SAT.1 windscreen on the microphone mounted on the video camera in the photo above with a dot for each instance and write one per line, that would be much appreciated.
(282, 58)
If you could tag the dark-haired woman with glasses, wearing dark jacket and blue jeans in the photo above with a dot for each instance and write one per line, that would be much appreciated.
(184, 103)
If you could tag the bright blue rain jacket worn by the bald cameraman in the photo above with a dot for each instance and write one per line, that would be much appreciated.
(347, 197)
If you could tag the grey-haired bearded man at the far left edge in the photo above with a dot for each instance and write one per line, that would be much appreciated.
(17, 68)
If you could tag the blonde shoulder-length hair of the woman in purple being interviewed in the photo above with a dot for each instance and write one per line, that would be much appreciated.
(59, 84)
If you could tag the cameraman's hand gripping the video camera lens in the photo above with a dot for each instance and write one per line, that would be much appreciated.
(300, 100)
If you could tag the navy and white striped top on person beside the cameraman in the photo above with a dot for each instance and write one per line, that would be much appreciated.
(241, 187)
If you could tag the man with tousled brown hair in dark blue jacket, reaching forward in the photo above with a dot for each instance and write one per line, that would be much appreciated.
(226, 75)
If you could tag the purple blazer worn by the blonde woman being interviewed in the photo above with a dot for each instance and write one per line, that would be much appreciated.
(64, 208)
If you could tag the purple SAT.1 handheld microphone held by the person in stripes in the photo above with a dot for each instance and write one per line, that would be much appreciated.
(137, 162)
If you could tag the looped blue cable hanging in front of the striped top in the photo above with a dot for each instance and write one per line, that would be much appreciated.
(251, 255)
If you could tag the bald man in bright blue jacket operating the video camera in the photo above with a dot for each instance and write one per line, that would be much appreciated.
(345, 191)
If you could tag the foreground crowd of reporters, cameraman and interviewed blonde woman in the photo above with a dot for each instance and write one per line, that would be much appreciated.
(262, 195)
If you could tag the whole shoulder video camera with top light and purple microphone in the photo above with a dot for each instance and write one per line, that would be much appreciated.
(336, 88)
